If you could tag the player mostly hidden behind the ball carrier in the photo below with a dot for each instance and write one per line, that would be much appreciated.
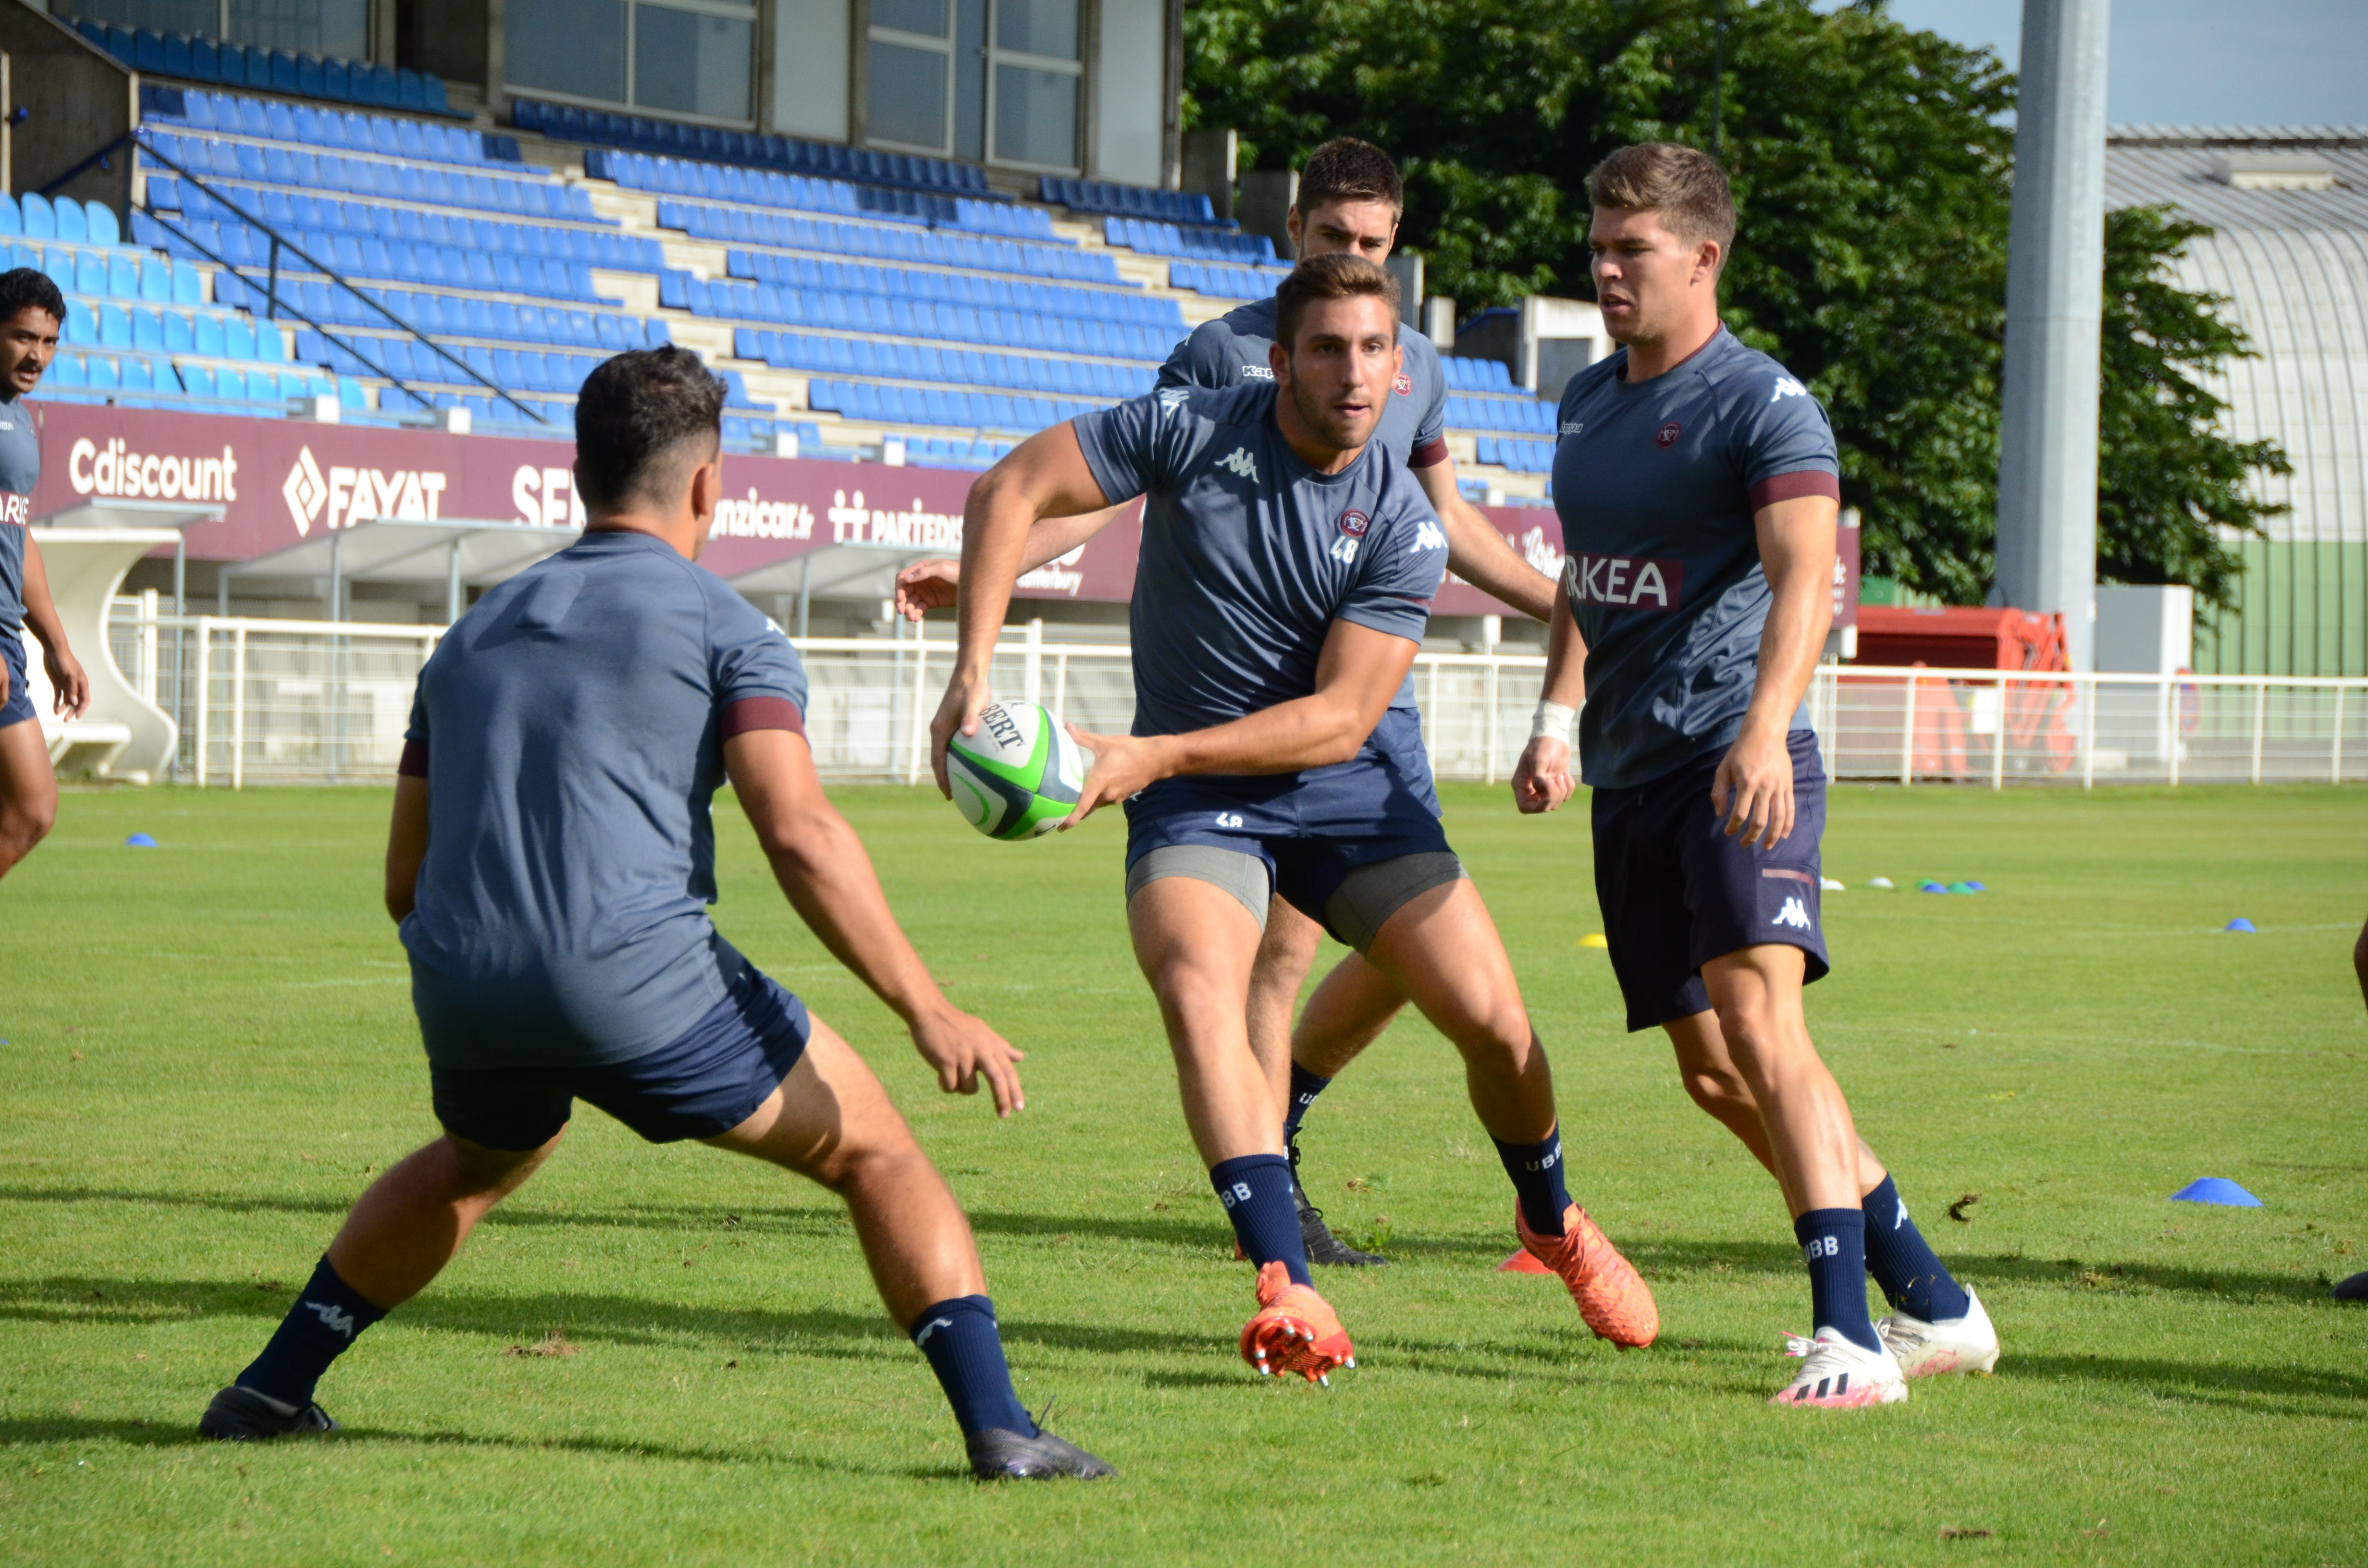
(1349, 205)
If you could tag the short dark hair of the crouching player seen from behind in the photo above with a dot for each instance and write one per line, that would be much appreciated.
(631, 418)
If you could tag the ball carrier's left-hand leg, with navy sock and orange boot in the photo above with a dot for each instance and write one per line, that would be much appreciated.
(1197, 946)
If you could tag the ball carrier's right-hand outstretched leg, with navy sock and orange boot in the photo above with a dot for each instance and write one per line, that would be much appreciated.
(1441, 951)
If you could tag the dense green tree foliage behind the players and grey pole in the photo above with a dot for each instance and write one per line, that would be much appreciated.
(1872, 176)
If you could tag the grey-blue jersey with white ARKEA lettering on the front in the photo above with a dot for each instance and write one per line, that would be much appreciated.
(1656, 487)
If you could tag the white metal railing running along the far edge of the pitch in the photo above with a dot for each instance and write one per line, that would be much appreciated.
(316, 702)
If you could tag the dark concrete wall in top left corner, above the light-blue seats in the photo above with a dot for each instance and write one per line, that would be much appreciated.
(75, 101)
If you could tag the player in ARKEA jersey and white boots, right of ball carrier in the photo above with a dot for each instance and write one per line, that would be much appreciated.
(1699, 491)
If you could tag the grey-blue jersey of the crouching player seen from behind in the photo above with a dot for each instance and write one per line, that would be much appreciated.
(572, 735)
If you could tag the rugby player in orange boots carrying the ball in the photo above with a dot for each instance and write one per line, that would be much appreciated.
(1280, 600)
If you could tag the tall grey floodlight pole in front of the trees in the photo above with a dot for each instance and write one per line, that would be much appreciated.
(2054, 319)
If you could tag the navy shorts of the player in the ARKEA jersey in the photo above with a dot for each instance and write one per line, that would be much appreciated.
(1678, 892)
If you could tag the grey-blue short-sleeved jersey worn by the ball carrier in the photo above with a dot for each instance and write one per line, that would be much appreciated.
(1249, 555)
